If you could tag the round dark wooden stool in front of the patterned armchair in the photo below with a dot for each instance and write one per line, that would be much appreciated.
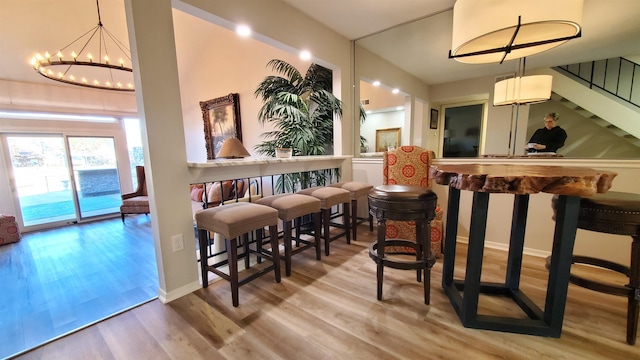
(407, 203)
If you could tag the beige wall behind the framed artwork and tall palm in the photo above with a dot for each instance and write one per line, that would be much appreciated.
(213, 62)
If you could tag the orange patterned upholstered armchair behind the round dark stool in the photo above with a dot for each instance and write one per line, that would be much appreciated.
(409, 165)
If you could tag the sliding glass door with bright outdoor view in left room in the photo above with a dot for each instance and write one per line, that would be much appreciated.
(61, 179)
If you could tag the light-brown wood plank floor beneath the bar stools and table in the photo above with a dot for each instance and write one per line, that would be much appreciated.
(328, 310)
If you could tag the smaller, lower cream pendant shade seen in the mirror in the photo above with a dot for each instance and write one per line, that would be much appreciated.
(522, 90)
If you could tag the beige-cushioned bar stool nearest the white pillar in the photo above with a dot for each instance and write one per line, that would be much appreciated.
(231, 221)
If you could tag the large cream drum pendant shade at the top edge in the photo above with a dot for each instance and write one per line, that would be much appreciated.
(483, 30)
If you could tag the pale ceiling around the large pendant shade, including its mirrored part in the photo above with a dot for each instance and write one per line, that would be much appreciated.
(610, 28)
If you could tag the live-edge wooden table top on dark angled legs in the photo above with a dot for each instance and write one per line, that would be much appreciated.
(523, 179)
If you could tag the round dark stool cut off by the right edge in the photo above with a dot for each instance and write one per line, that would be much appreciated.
(613, 213)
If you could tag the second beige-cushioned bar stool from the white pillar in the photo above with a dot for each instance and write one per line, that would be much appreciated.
(290, 207)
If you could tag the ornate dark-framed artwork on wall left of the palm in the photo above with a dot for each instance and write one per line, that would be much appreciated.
(221, 118)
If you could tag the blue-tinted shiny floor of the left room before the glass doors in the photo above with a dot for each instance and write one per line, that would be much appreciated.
(56, 281)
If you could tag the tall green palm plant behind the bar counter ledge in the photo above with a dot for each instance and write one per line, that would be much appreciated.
(301, 111)
